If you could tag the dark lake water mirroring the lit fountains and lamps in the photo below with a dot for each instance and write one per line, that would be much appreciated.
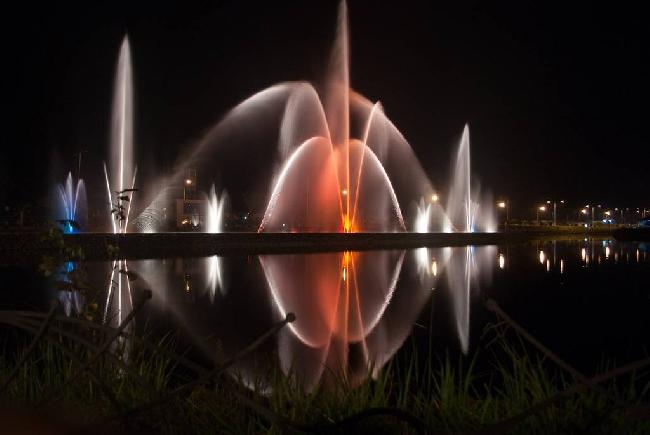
(587, 299)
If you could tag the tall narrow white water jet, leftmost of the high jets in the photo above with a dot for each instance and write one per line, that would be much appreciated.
(120, 172)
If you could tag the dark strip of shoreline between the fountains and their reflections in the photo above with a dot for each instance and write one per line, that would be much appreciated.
(19, 247)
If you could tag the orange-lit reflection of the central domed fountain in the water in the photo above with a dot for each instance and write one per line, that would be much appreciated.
(340, 301)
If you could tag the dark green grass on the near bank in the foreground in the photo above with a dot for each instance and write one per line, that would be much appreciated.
(440, 394)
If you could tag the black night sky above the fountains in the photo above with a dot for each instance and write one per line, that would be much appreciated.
(555, 94)
